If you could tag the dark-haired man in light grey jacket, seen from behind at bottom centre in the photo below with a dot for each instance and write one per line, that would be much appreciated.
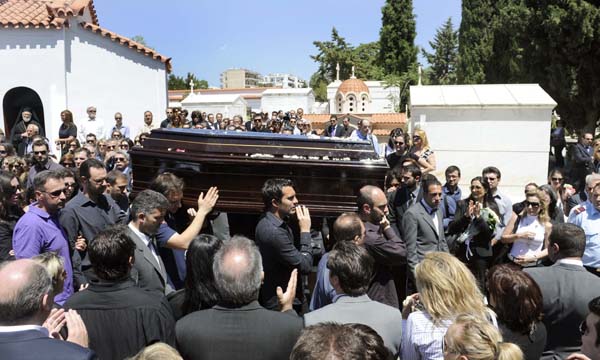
(351, 268)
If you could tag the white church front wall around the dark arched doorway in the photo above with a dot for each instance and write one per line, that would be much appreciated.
(34, 58)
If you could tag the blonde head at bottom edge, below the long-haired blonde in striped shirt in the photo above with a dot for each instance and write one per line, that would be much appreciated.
(473, 338)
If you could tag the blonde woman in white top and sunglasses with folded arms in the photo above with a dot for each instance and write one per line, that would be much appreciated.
(528, 232)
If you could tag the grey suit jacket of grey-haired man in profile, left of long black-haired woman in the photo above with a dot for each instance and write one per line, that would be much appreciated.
(146, 272)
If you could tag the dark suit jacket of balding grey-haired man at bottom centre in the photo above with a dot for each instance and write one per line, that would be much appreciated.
(248, 332)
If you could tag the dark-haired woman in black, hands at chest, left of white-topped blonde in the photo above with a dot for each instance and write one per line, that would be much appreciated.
(477, 253)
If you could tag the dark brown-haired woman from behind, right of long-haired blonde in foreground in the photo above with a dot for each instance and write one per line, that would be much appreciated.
(517, 301)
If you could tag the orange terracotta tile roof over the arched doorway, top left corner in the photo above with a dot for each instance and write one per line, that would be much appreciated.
(43, 13)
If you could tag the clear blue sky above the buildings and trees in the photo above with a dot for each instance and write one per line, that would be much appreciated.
(208, 37)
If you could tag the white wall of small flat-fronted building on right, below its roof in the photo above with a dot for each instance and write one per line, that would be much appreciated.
(515, 140)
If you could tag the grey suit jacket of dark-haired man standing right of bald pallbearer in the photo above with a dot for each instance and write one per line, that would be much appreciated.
(420, 235)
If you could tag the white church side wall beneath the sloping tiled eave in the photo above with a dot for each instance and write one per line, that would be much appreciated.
(113, 78)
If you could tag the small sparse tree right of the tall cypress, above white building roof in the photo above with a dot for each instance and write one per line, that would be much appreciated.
(444, 58)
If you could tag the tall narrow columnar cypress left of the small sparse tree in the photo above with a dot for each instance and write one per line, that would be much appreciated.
(397, 37)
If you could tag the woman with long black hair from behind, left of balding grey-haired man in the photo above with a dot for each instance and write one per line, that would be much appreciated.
(199, 290)
